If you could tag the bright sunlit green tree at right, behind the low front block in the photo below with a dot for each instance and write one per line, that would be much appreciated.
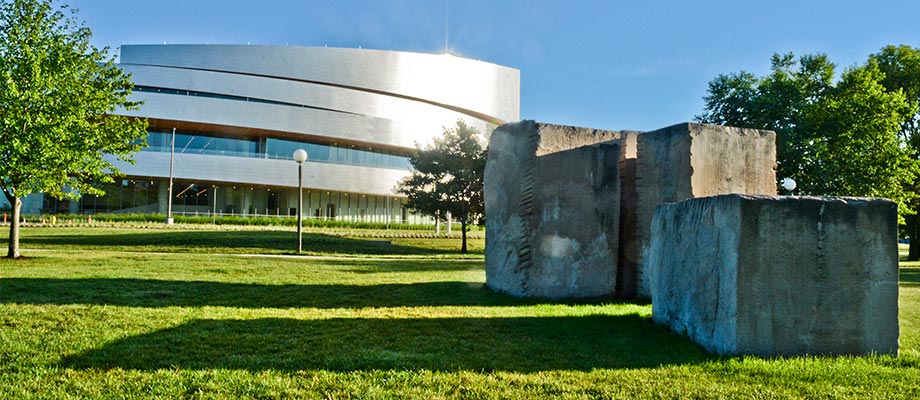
(859, 151)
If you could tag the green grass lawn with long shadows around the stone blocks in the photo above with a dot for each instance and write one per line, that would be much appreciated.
(129, 313)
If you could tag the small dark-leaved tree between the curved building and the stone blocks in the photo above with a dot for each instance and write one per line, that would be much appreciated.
(447, 178)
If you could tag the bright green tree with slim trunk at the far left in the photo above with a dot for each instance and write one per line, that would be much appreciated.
(57, 98)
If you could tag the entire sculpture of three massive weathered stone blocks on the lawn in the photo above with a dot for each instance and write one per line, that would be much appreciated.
(688, 215)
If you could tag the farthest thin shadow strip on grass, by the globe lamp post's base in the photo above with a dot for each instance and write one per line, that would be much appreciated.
(244, 240)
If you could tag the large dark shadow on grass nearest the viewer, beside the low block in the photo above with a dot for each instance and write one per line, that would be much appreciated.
(477, 344)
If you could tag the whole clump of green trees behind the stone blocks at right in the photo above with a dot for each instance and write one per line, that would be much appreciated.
(834, 138)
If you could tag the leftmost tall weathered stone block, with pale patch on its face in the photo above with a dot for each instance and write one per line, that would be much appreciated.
(552, 212)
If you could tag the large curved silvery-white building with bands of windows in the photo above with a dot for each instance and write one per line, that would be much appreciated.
(240, 111)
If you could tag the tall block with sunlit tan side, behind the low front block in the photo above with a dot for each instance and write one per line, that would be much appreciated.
(685, 161)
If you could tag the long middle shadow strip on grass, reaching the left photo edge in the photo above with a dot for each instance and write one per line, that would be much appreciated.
(162, 293)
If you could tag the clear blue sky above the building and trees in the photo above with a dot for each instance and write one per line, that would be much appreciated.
(603, 64)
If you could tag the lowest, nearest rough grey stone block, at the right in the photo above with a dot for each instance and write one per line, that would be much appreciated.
(771, 276)
